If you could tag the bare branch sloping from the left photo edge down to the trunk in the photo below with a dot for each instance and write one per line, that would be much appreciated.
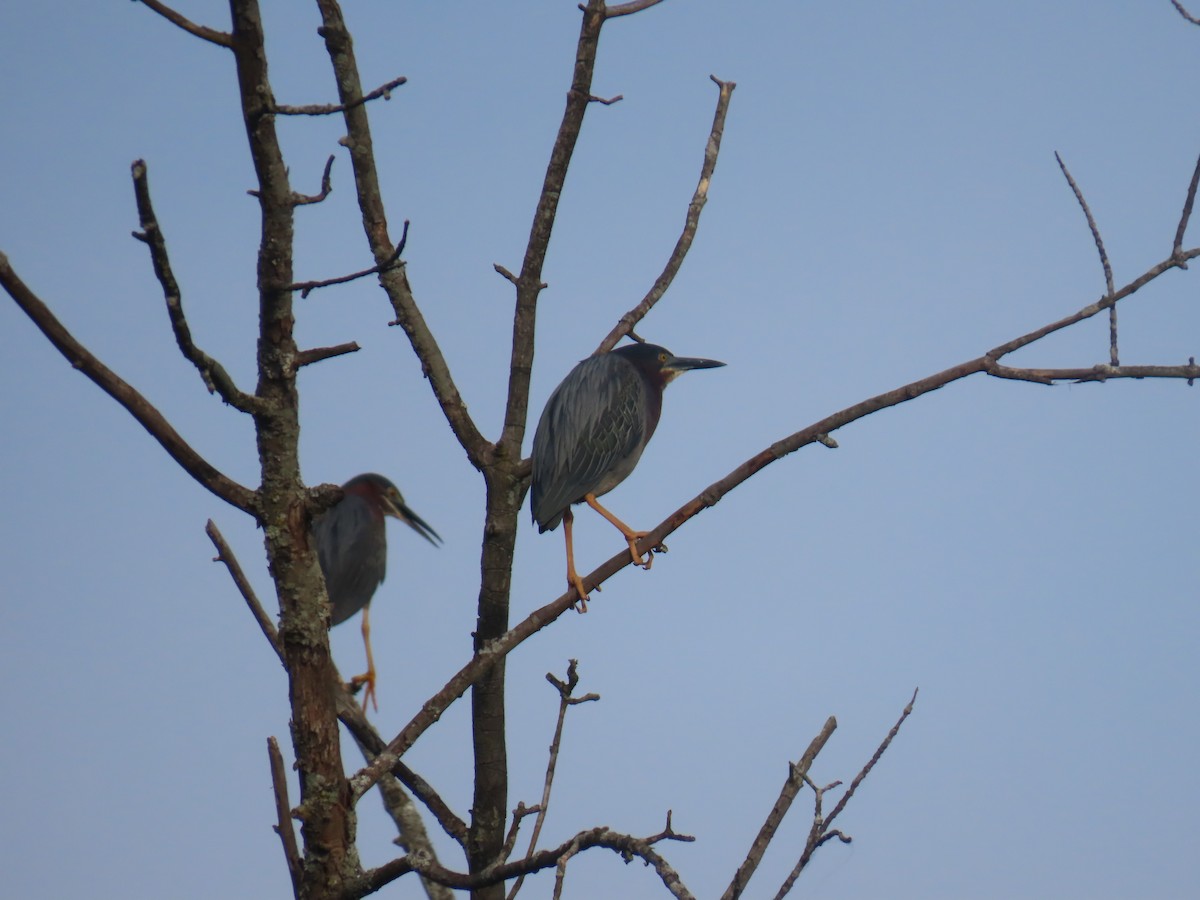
(145, 412)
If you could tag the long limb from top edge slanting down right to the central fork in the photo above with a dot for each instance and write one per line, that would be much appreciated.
(375, 224)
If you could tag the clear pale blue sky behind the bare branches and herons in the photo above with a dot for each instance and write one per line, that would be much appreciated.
(887, 205)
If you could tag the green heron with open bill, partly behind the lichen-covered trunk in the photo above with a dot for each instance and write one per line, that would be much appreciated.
(352, 548)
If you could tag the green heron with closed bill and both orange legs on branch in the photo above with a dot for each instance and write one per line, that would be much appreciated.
(592, 434)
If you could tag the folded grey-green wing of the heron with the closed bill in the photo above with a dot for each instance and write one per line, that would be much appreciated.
(590, 437)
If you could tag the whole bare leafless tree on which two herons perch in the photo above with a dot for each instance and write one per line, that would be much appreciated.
(325, 861)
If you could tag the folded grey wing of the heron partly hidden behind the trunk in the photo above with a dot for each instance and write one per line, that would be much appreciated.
(353, 554)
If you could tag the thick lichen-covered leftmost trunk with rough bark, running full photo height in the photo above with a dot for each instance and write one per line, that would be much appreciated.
(327, 814)
